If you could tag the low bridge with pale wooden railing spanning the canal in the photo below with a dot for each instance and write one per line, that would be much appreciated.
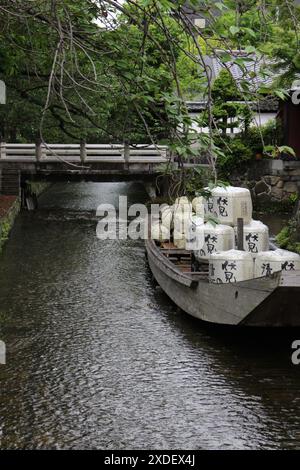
(94, 162)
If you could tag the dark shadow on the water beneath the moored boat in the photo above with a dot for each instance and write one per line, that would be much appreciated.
(258, 360)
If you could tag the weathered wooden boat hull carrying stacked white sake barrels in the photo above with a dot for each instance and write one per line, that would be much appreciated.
(272, 301)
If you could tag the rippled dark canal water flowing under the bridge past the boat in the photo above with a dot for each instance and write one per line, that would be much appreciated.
(99, 358)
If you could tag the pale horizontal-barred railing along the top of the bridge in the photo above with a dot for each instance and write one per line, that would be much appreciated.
(83, 153)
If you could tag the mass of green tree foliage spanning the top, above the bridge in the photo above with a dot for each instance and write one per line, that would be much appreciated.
(121, 71)
